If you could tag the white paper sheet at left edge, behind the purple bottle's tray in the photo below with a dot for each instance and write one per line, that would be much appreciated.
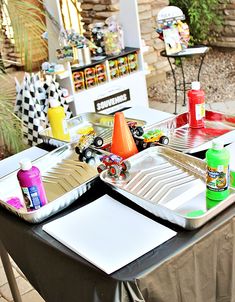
(11, 163)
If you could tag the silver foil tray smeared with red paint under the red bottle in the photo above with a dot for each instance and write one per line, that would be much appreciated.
(188, 140)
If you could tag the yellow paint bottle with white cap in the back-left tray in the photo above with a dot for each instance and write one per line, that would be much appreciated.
(56, 117)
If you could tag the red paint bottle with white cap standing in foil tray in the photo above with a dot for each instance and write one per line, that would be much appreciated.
(196, 106)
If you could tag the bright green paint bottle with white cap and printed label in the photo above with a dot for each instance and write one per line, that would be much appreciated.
(217, 177)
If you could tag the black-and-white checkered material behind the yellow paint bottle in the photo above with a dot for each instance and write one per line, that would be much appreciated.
(32, 103)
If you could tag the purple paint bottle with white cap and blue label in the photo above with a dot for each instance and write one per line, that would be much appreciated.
(31, 185)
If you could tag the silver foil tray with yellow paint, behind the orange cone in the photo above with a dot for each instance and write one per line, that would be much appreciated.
(102, 124)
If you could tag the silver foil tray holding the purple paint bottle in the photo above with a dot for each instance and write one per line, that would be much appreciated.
(65, 178)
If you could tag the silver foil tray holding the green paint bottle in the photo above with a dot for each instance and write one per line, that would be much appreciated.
(170, 185)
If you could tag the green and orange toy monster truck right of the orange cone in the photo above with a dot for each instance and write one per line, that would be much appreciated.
(153, 137)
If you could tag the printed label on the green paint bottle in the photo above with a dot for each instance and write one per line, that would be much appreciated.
(217, 178)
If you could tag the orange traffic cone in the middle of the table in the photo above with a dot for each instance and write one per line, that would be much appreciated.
(123, 143)
